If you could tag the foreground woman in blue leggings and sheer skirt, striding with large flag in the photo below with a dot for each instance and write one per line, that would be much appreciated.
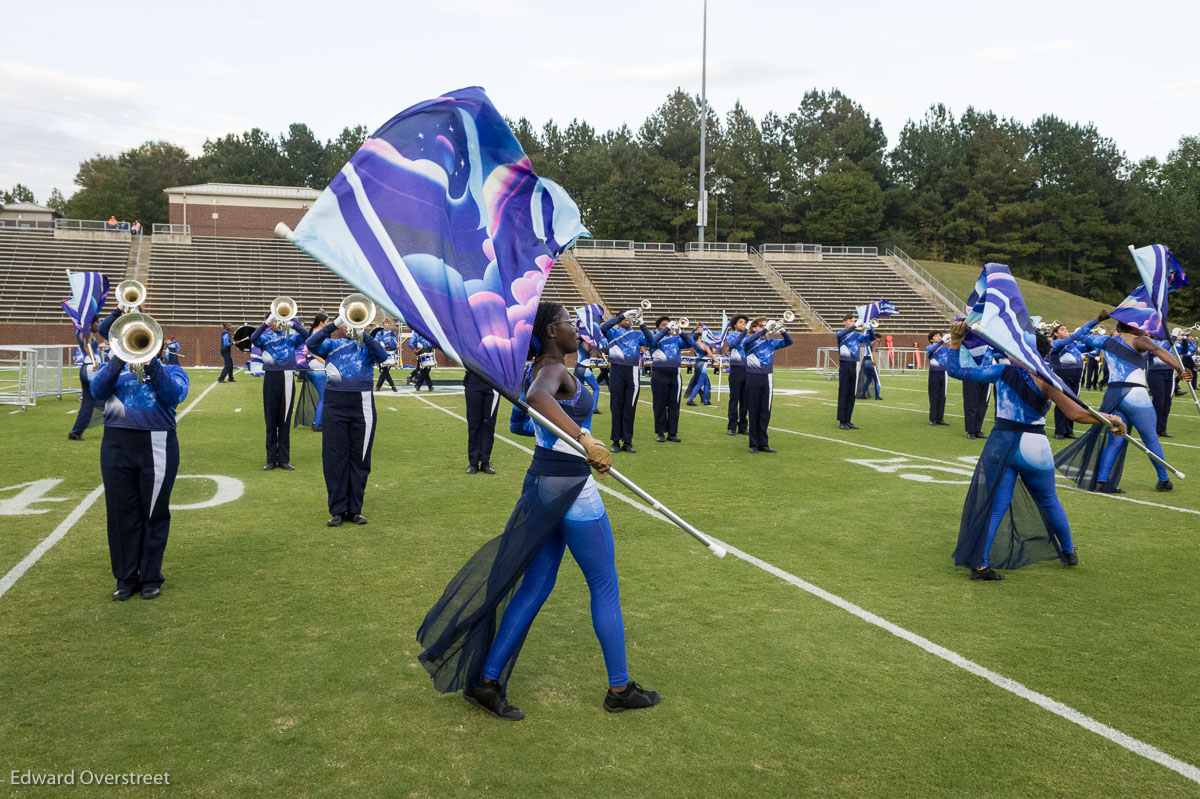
(560, 508)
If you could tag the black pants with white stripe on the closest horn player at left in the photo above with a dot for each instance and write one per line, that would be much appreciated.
(139, 468)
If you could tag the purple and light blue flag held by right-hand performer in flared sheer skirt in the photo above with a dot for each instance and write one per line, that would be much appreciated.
(999, 317)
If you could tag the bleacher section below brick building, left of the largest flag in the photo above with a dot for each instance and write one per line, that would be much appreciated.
(215, 280)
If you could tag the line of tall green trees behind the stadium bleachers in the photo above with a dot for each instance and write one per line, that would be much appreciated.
(1055, 200)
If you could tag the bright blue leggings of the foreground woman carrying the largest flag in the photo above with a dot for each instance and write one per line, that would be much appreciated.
(591, 543)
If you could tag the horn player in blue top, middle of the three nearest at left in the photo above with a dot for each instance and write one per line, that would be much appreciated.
(279, 350)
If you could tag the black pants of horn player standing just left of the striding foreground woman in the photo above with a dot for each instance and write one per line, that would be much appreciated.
(347, 429)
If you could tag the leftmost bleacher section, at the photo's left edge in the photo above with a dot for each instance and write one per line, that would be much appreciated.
(33, 272)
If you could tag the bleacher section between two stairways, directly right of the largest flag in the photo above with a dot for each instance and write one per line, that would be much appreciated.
(685, 286)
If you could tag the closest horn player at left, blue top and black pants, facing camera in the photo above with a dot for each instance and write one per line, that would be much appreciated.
(139, 460)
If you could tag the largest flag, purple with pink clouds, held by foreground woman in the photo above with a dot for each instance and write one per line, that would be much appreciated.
(441, 220)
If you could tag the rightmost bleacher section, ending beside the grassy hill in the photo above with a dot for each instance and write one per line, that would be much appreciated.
(836, 285)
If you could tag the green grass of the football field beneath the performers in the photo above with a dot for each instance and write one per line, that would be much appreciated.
(281, 657)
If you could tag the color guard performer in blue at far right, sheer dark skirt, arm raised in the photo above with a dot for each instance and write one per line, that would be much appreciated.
(1126, 398)
